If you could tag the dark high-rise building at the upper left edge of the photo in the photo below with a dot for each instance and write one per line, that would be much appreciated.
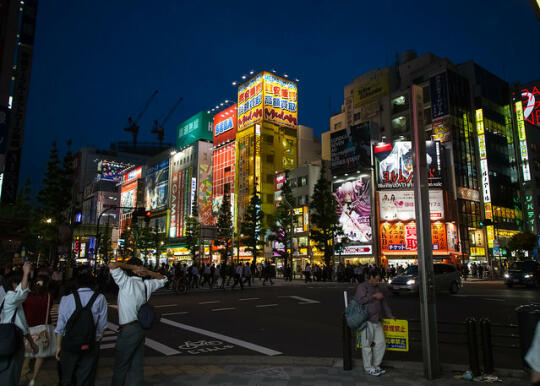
(17, 28)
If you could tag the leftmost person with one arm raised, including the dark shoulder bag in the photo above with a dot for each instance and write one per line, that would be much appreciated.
(13, 327)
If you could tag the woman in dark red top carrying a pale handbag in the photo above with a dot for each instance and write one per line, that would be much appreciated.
(37, 308)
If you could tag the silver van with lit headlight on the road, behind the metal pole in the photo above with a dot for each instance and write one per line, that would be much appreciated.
(447, 278)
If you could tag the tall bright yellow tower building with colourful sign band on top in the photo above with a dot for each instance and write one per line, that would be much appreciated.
(266, 139)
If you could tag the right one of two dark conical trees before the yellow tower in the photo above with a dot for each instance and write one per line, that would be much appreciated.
(282, 223)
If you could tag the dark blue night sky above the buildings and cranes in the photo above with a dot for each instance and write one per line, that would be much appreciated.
(96, 62)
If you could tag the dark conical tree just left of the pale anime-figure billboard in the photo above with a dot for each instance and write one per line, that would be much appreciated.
(325, 227)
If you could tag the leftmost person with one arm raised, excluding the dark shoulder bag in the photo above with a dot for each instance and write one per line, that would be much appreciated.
(11, 311)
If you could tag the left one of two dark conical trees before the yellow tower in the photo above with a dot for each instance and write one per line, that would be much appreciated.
(252, 226)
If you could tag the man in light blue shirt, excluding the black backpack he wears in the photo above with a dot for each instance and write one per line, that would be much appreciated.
(81, 366)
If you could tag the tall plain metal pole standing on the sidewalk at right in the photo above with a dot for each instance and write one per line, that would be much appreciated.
(428, 311)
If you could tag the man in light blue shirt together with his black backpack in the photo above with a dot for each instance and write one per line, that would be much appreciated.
(82, 318)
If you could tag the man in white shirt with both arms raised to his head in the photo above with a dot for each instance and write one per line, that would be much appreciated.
(132, 294)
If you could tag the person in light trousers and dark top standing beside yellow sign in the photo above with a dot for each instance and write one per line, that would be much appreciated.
(373, 297)
